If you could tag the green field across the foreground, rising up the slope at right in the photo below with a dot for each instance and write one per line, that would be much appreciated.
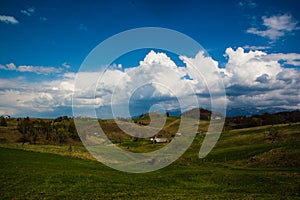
(243, 165)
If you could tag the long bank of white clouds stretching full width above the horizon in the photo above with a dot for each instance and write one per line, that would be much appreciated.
(251, 79)
